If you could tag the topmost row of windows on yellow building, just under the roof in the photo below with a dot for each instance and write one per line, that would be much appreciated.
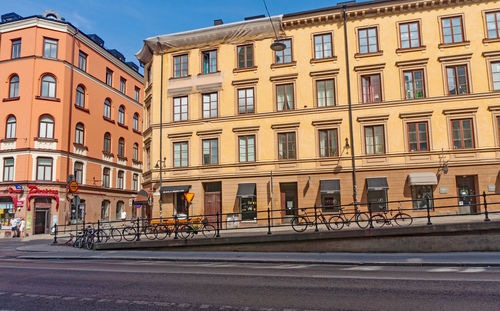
(452, 32)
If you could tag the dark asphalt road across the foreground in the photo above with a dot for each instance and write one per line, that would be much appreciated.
(149, 285)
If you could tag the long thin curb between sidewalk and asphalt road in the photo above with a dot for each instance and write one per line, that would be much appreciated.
(277, 261)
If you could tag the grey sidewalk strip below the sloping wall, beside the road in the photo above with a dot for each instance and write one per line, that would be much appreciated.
(44, 251)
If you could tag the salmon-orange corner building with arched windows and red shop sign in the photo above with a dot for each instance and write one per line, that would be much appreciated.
(71, 109)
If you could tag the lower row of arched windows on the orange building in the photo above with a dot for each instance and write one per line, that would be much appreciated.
(46, 131)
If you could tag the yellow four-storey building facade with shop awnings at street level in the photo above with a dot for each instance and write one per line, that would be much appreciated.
(247, 128)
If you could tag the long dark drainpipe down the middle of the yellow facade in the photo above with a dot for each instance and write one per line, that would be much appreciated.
(351, 132)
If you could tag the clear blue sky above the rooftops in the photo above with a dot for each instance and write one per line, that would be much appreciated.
(123, 24)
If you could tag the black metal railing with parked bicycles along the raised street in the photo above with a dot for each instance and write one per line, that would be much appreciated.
(363, 215)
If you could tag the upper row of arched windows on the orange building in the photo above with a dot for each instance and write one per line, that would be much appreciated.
(48, 90)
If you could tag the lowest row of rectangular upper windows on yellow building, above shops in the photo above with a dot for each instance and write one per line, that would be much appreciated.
(462, 132)
